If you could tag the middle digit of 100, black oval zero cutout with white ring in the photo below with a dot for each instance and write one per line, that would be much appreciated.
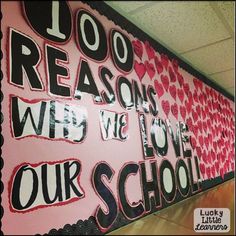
(91, 36)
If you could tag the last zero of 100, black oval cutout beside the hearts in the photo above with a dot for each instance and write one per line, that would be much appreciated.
(122, 51)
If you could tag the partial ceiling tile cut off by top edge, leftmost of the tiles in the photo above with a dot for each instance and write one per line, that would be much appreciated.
(126, 6)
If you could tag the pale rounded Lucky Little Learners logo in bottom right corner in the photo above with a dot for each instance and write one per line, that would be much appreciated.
(211, 220)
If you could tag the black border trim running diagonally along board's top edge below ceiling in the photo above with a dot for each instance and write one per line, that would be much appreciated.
(128, 26)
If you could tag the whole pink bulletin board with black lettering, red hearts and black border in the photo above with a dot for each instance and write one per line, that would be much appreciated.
(101, 124)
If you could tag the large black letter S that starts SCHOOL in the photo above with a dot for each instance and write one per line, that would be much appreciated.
(104, 220)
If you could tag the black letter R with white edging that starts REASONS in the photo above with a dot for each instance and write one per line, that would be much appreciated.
(25, 55)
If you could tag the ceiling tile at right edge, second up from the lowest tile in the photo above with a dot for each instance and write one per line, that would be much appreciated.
(213, 58)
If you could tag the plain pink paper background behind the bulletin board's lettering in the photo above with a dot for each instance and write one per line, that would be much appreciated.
(94, 149)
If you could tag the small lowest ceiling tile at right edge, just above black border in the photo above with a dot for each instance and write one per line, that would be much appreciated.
(224, 79)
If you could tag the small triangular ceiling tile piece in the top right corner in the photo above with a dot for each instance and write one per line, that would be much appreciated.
(227, 9)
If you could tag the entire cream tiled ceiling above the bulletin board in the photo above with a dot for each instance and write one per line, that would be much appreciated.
(199, 32)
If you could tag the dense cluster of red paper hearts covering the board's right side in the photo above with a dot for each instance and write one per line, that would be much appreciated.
(209, 115)
